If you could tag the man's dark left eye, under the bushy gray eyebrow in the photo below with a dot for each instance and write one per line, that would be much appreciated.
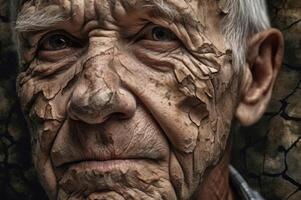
(59, 41)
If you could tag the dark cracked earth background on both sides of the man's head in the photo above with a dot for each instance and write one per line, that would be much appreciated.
(268, 154)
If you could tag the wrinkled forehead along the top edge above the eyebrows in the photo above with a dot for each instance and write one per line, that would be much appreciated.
(196, 10)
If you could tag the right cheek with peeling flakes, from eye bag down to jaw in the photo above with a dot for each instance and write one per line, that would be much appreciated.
(189, 100)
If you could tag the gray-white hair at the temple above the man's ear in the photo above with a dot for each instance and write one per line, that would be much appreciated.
(243, 18)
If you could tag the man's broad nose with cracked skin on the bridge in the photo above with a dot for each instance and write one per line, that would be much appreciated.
(98, 95)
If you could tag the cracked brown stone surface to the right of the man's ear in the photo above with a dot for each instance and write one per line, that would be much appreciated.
(268, 153)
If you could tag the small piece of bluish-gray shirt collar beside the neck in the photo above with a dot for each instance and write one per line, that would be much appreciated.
(244, 191)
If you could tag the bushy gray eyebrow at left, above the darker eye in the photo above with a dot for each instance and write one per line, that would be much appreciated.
(41, 19)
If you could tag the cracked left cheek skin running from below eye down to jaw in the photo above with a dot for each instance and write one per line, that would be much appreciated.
(44, 105)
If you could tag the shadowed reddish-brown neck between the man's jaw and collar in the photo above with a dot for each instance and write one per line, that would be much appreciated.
(216, 185)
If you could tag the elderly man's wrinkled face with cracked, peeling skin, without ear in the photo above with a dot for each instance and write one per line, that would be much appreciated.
(126, 100)
